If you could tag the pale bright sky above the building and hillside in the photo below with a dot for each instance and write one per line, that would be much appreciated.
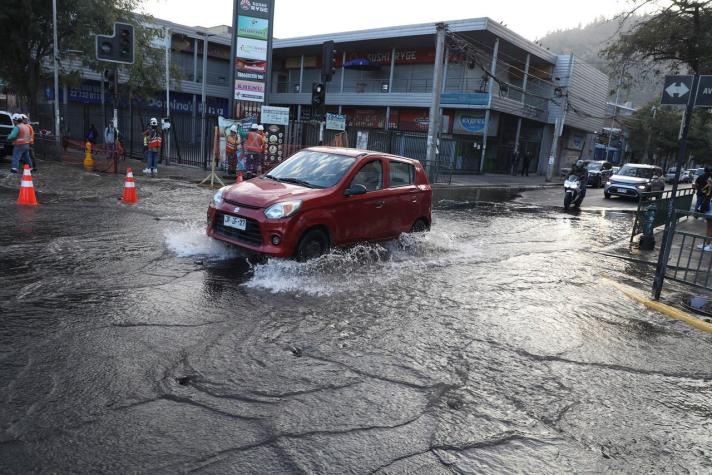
(531, 19)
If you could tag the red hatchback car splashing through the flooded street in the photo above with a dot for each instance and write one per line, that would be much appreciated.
(323, 197)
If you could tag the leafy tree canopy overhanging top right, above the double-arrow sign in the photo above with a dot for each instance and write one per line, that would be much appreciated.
(675, 33)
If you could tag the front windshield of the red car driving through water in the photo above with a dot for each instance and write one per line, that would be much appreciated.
(312, 169)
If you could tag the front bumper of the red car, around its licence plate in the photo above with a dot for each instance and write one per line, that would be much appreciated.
(258, 236)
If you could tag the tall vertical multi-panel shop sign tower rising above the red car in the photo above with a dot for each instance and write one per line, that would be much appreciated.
(253, 27)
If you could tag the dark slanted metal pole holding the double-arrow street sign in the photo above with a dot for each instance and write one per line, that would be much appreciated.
(670, 222)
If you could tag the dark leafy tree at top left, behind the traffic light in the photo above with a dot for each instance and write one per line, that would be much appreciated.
(26, 44)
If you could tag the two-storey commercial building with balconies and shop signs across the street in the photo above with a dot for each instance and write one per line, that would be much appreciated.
(513, 95)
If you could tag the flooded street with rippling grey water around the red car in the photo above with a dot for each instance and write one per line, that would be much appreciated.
(132, 342)
